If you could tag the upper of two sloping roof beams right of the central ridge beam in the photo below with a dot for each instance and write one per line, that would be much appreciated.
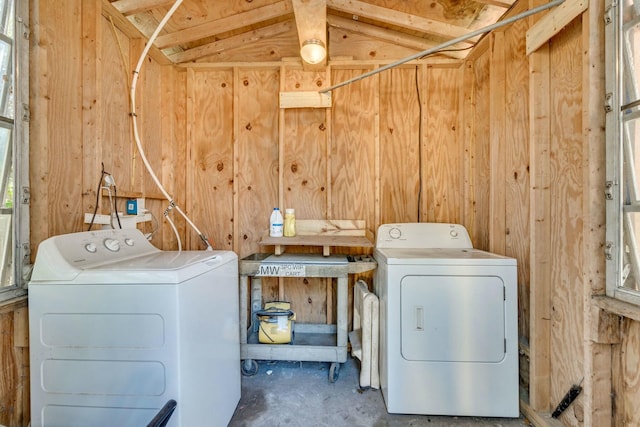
(394, 17)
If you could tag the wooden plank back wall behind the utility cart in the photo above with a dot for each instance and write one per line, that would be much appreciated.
(333, 163)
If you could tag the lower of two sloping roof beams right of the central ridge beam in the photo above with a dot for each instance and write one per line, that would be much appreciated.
(395, 37)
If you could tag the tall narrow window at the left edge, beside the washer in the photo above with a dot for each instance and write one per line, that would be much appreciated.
(14, 220)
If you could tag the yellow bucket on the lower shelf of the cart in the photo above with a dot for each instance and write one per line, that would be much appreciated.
(276, 323)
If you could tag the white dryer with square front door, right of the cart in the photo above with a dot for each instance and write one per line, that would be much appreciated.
(448, 323)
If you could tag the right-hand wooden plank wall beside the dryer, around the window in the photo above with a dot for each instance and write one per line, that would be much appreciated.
(553, 217)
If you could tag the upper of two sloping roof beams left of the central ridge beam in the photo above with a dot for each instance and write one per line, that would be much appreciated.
(222, 25)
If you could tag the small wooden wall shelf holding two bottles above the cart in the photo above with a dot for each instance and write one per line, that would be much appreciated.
(325, 233)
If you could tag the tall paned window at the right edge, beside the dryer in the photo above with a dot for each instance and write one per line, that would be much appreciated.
(622, 47)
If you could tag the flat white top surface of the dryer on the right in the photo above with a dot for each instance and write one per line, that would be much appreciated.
(440, 256)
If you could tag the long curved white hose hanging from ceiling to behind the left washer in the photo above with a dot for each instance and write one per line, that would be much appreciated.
(134, 81)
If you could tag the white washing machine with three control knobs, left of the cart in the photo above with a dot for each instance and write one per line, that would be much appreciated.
(119, 327)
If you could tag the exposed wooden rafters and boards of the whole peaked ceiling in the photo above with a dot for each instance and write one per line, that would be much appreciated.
(312, 18)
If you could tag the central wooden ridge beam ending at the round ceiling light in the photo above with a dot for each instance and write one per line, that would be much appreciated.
(311, 22)
